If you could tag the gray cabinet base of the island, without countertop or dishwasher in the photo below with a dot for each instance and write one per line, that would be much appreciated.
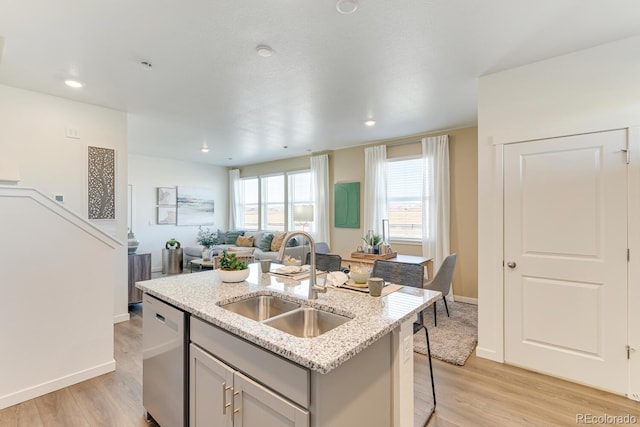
(268, 390)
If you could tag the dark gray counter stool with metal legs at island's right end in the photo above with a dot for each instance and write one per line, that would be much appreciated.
(407, 274)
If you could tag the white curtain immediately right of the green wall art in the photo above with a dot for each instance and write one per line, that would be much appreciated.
(375, 188)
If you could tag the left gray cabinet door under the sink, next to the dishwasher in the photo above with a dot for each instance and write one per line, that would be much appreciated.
(210, 390)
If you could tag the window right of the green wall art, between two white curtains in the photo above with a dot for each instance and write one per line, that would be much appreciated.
(404, 196)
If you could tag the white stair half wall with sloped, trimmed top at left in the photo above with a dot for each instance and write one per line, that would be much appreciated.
(56, 304)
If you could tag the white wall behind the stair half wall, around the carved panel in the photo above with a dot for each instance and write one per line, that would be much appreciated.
(33, 145)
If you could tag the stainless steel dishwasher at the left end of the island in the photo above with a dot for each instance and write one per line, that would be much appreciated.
(164, 378)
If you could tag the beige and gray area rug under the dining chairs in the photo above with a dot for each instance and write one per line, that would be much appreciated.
(455, 337)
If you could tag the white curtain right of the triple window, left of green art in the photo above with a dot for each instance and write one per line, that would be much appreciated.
(320, 195)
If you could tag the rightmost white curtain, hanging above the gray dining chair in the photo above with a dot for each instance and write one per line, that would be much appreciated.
(435, 196)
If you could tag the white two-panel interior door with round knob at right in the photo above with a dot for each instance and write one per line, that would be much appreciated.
(566, 257)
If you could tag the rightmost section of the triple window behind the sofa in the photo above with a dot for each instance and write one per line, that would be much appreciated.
(301, 209)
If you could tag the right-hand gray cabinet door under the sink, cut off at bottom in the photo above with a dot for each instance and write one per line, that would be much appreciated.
(260, 407)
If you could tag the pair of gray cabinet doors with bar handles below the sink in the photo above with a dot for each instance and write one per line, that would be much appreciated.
(222, 396)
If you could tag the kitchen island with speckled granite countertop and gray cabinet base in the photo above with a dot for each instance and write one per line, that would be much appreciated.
(360, 371)
